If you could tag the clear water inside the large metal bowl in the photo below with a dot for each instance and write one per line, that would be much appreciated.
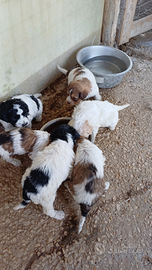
(105, 65)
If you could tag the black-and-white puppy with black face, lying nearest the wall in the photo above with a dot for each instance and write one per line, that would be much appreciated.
(20, 110)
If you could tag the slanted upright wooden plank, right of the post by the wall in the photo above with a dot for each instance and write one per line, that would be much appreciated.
(126, 20)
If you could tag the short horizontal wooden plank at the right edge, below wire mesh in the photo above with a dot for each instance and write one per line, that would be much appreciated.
(140, 26)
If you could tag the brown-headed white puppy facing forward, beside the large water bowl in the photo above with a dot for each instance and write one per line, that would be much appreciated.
(81, 85)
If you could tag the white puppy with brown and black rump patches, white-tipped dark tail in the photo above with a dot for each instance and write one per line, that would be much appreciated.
(87, 184)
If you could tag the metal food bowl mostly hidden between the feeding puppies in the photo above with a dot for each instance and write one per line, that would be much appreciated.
(49, 126)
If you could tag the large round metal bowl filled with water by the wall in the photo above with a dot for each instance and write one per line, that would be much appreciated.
(109, 65)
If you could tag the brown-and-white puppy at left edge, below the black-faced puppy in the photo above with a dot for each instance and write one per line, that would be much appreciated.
(20, 141)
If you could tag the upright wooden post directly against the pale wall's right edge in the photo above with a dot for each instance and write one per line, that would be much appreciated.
(109, 24)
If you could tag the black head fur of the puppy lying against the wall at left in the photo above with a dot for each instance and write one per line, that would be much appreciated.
(9, 114)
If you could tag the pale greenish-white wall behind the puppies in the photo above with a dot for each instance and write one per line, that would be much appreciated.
(38, 34)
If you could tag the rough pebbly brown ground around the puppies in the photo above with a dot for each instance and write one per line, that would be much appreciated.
(117, 233)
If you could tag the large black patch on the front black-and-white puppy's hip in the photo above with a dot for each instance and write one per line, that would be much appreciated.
(36, 179)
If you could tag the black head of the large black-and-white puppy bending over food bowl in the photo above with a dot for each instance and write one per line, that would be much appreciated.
(62, 131)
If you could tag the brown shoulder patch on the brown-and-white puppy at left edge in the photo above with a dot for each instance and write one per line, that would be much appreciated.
(28, 138)
